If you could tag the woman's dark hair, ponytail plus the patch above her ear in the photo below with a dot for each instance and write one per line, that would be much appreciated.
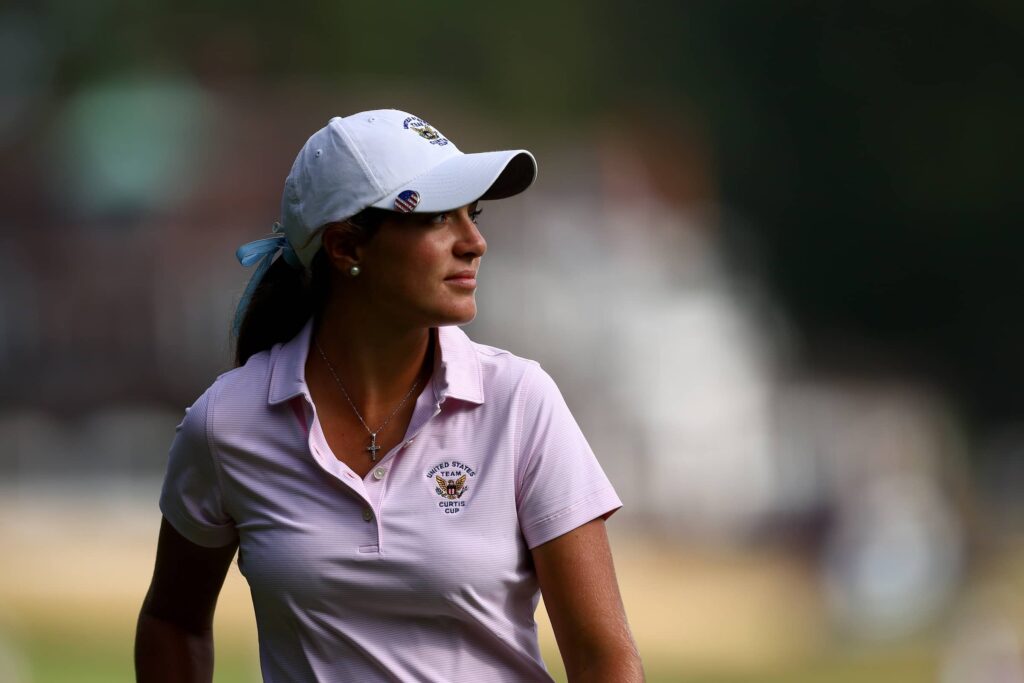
(287, 297)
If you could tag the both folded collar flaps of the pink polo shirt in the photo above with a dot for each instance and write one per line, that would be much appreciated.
(457, 371)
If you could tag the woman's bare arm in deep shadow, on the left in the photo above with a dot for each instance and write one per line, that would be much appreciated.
(175, 637)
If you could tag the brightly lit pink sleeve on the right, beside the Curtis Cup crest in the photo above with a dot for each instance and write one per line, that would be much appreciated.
(561, 485)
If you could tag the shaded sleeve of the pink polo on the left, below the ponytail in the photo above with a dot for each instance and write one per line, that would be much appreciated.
(192, 499)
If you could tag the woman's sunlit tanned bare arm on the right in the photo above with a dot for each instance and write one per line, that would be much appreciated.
(578, 582)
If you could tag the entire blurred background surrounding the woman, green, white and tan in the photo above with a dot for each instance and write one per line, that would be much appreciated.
(772, 260)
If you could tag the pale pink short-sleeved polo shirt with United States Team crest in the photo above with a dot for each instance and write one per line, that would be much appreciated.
(419, 572)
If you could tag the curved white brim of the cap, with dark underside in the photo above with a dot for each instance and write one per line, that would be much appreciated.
(466, 179)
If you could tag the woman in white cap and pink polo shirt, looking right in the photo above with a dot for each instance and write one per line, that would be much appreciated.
(398, 494)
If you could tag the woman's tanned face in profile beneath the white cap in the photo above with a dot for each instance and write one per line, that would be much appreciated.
(421, 269)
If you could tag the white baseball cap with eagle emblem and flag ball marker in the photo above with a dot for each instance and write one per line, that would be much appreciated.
(390, 160)
